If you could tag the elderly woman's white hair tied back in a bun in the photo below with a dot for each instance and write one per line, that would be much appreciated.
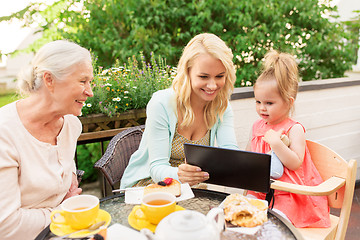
(57, 57)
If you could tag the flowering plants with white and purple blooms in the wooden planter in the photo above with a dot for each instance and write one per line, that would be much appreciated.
(128, 86)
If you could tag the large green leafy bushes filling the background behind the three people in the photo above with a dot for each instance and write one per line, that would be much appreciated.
(119, 29)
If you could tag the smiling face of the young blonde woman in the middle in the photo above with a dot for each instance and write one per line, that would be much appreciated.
(207, 77)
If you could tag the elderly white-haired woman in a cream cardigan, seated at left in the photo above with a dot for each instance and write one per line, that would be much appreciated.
(38, 138)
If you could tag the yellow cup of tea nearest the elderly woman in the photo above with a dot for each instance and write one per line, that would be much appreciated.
(78, 212)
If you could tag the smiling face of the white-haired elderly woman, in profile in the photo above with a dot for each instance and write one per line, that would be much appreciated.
(71, 92)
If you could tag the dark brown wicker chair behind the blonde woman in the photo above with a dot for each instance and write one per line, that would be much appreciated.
(116, 157)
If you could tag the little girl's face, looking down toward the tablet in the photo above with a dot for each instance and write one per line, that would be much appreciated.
(269, 104)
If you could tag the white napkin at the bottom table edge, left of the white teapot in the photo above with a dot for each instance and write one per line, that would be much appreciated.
(119, 232)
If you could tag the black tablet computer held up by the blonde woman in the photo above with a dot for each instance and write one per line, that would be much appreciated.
(231, 168)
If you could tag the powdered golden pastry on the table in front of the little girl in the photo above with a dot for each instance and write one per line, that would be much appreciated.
(244, 212)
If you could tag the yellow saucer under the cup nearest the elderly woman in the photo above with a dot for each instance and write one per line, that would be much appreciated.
(63, 229)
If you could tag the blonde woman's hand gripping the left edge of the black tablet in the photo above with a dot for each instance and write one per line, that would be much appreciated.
(191, 174)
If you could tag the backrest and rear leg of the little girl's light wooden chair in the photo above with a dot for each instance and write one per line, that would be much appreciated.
(329, 164)
